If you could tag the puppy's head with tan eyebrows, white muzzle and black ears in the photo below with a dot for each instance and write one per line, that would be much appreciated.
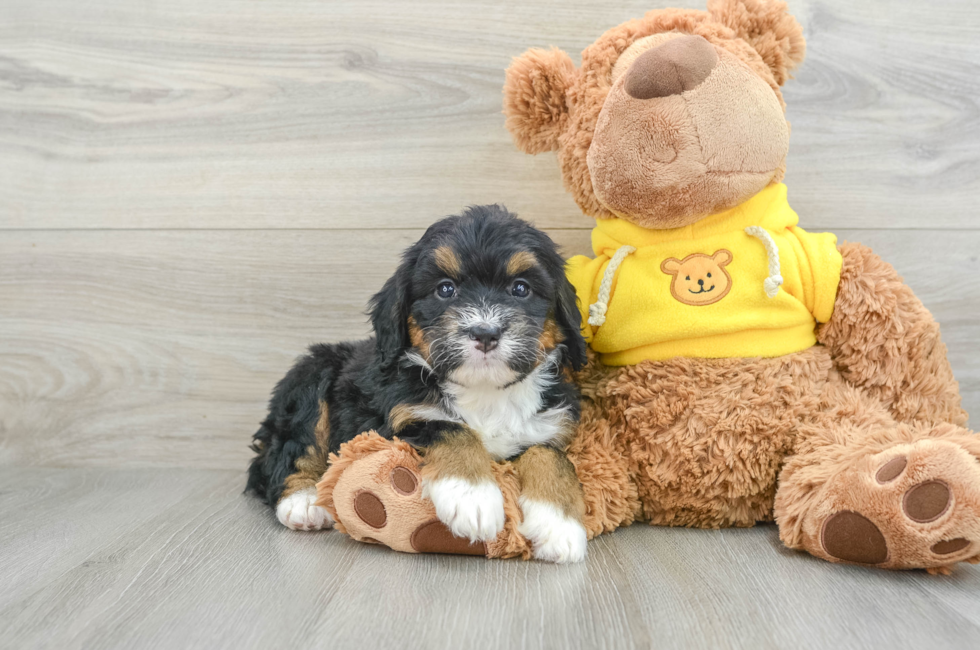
(484, 301)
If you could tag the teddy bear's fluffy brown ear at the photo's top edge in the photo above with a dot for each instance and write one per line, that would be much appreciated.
(768, 27)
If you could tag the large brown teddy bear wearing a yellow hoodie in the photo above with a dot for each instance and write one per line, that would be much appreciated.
(743, 369)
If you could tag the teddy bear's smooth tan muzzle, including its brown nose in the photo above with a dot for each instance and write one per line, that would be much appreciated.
(688, 129)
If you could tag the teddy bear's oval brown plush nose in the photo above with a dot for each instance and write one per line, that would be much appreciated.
(678, 65)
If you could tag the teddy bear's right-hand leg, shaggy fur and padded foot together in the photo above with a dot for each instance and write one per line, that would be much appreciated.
(865, 489)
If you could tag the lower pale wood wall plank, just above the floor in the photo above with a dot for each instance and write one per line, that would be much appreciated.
(144, 348)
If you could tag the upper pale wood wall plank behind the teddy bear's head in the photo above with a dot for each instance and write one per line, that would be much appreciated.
(382, 114)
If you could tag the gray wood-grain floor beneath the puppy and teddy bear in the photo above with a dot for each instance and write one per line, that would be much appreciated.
(181, 559)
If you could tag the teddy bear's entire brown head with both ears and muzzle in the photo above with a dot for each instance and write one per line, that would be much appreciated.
(670, 117)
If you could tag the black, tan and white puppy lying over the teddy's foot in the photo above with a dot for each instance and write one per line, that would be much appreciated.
(474, 338)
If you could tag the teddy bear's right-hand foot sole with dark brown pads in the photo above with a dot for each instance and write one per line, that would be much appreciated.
(912, 506)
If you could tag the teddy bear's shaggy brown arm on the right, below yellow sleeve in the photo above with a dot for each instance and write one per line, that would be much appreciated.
(882, 338)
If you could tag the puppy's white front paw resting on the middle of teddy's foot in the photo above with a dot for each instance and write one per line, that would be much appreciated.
(471, 510)
